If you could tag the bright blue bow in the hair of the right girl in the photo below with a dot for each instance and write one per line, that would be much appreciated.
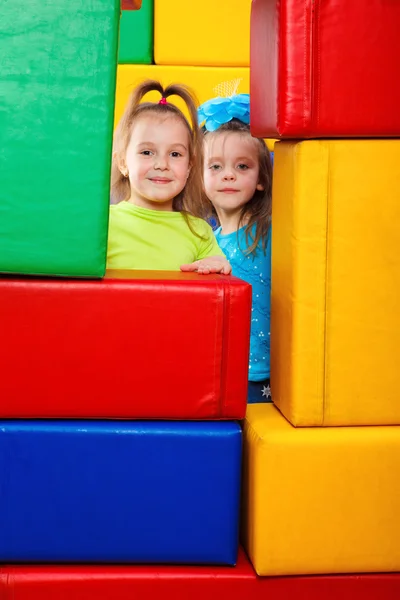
(218, 111)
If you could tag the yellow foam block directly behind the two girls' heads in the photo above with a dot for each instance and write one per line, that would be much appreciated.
(202, 80)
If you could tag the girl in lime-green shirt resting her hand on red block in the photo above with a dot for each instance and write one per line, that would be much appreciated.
(156, 182)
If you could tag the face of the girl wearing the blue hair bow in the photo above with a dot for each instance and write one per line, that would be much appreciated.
(231, 171)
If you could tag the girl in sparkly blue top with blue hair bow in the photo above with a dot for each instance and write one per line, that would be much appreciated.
(238, 182)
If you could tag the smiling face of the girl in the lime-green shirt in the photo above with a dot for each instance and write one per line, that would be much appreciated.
(157, 161)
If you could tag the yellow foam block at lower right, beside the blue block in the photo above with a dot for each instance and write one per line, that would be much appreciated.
(320, 500)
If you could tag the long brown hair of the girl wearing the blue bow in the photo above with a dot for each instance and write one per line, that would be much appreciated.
(258, 210)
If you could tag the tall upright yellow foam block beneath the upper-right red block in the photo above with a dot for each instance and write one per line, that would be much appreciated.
(335, 333)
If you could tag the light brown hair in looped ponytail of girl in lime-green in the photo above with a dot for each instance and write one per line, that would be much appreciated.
(191, 200)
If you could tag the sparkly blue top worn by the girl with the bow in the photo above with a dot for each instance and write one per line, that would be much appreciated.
(256, 270)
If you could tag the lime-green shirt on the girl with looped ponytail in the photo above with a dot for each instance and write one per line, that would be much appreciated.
(139, 238)
